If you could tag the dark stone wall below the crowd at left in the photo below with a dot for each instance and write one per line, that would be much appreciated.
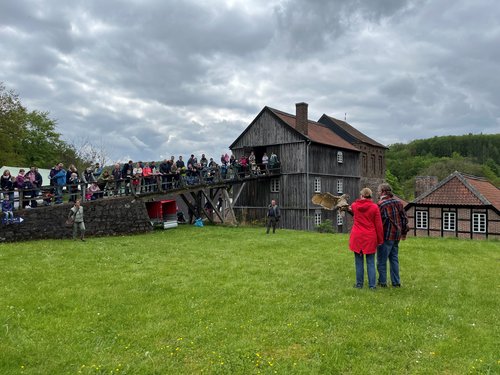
(104, 217)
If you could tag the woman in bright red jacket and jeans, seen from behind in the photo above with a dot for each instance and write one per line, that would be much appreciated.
(367, 232)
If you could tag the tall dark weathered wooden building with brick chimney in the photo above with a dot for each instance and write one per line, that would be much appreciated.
(313, 159)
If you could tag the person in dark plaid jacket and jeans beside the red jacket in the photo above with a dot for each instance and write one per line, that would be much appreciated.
(395, 223)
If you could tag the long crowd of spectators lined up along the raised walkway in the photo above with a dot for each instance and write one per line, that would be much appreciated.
(128, 178)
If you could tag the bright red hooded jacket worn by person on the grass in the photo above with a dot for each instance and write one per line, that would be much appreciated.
(367, 231)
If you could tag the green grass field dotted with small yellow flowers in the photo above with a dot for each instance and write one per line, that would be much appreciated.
(218, 300)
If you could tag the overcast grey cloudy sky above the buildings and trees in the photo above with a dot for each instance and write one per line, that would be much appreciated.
(148, 79)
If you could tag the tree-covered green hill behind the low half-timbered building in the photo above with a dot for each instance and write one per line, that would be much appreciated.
(478, 155)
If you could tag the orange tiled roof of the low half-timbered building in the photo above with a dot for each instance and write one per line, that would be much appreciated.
(462, 190)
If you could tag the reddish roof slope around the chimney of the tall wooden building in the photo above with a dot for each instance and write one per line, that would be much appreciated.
(317, 132)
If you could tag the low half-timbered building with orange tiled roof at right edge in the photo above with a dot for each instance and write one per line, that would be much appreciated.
(460, 206)
